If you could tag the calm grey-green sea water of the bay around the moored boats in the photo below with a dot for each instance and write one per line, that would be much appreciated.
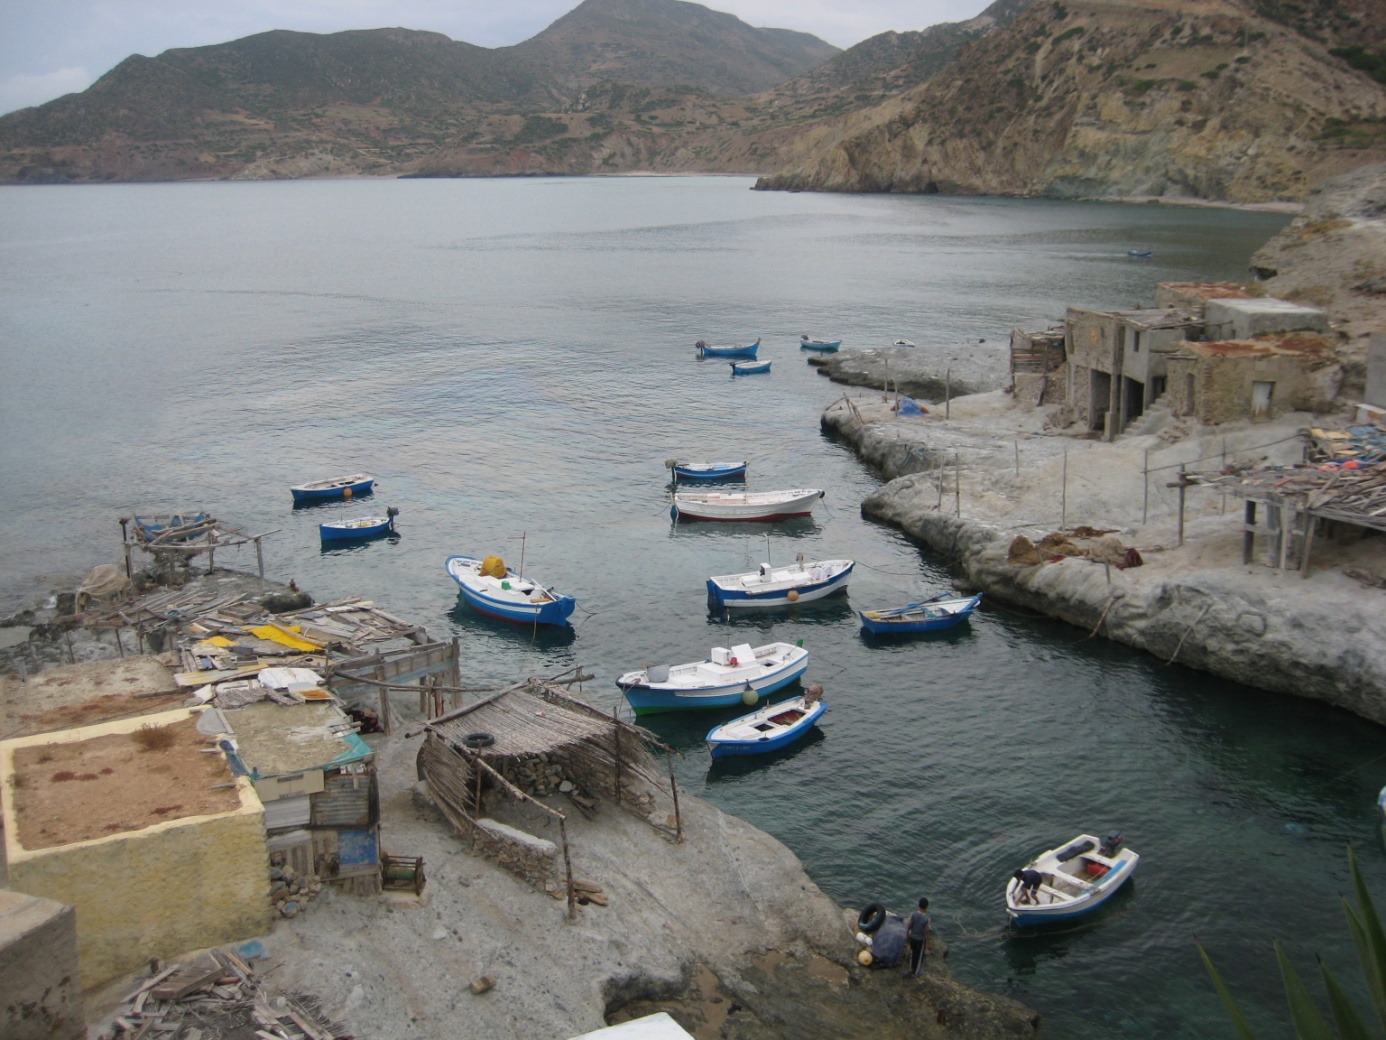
(514, 360)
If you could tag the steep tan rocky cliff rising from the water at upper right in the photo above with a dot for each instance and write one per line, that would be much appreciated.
(1121, 99)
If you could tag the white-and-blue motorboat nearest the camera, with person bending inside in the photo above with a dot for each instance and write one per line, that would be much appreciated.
(1075, 880)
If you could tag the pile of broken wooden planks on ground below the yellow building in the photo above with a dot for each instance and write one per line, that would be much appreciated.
(217, 995)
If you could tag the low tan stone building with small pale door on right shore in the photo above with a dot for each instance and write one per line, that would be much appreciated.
(1254, 379)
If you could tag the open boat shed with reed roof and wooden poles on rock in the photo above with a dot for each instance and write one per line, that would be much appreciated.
(494, 769)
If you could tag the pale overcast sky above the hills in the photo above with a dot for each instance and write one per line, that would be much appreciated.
(53, 48)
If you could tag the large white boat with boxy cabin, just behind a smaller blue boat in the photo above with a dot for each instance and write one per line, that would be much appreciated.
(731, 676)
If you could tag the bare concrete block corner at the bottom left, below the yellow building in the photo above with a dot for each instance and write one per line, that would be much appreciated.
(41, 996)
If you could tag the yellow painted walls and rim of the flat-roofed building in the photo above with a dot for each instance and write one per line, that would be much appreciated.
(159, 892)
